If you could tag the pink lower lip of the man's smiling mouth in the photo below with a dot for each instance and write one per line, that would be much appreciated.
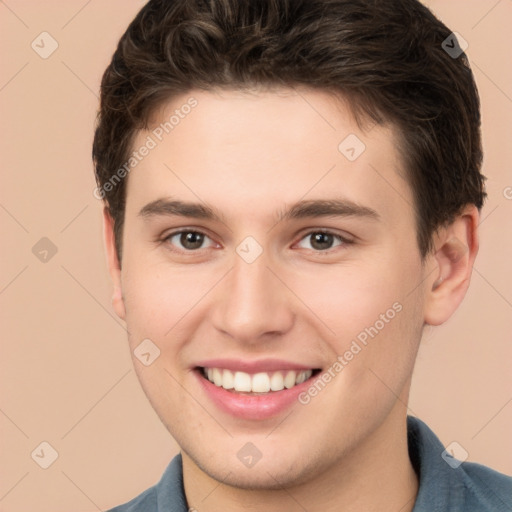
(252, 407)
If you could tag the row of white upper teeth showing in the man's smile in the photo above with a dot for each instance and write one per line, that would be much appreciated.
(262, 382)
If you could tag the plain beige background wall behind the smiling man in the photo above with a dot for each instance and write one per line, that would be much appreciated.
(65, 372)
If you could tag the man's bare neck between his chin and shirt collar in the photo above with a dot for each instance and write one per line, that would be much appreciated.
(376, 476)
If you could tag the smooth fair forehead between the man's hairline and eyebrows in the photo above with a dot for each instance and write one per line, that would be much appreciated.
(260, 150)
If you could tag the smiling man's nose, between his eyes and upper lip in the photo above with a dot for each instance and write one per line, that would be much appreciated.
(253, 304)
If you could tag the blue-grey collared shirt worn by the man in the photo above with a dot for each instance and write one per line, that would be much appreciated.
(444, 484)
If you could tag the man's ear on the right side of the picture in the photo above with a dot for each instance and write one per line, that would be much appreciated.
(455, 250)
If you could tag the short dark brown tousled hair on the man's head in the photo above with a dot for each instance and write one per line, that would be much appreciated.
(385, 56)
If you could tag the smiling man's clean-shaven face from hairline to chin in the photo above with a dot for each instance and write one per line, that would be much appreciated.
(264, 250)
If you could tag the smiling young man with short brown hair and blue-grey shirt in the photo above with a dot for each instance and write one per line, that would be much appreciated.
(292, 193)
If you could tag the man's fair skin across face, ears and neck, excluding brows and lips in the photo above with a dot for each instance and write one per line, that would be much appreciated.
(250, 156)
